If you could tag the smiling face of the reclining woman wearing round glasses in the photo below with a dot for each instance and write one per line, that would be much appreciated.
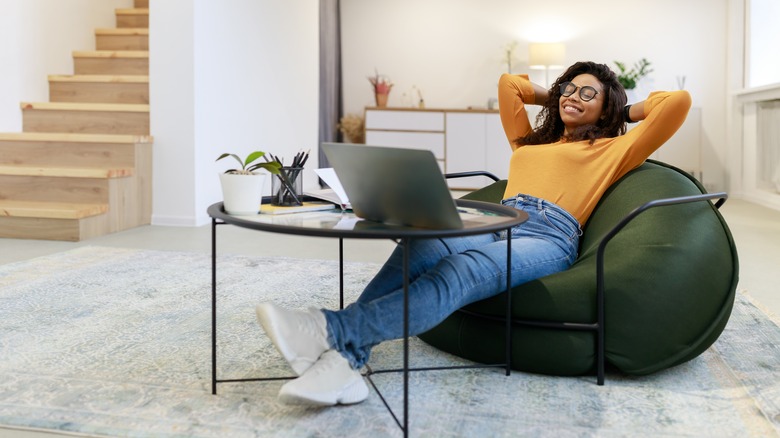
(578, 112)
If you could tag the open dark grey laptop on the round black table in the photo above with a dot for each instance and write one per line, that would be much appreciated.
(395, 186)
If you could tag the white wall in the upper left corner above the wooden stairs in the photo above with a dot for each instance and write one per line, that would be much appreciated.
(38, 39)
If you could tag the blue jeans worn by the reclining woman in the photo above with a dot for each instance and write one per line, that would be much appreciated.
(447, 274)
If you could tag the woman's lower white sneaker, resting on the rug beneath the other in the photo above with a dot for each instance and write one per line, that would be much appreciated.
(329, 382)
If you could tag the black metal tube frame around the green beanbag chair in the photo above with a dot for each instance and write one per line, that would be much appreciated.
(597, 326)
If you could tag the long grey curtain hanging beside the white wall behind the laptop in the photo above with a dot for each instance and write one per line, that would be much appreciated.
(331, 106)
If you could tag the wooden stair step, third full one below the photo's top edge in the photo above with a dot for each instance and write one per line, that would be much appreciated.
(111, 62)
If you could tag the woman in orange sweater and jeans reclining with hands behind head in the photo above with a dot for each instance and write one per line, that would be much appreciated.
(557, 175)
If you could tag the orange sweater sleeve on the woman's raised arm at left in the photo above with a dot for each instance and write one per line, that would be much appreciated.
(514, 91)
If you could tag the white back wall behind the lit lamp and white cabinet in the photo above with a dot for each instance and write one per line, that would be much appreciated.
(452, 50)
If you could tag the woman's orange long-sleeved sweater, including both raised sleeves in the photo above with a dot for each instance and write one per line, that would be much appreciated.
(574, 175)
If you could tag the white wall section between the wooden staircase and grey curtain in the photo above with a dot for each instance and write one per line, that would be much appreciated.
(236, 77)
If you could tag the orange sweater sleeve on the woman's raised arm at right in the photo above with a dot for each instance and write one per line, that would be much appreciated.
(665, 112)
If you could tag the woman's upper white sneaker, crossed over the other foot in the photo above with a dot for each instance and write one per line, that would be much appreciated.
(300, 336)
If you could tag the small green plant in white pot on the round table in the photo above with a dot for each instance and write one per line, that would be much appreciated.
(242, 188)
